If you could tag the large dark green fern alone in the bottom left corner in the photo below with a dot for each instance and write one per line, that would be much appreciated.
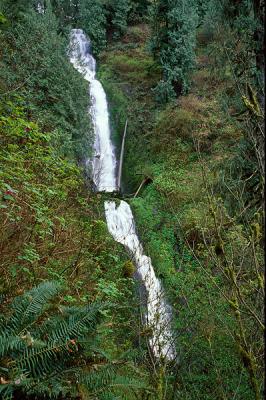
(33, 354)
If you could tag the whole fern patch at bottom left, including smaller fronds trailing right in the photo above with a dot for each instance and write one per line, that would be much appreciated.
(49, 357)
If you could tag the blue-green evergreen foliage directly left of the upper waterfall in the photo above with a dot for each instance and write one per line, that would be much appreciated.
(48, 96)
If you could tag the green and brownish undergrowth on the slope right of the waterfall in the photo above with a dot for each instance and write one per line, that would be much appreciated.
(184, 219)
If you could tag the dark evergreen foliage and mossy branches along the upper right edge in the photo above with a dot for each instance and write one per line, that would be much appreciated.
(244, 96)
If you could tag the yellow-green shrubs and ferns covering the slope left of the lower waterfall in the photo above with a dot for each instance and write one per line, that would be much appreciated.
(51, 229)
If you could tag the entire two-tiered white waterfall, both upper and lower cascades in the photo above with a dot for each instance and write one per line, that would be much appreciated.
(119, 219)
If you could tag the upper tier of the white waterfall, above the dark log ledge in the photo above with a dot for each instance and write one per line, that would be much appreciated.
(104, 160)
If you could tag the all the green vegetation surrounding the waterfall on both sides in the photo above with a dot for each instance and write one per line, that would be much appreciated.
(188, 77)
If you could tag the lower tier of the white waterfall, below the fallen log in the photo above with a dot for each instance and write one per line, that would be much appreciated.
(120, 222)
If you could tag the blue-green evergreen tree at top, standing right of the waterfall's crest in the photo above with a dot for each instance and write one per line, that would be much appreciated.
(173, 42)
